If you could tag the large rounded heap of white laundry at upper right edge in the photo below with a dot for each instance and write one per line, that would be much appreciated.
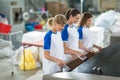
(110, 20)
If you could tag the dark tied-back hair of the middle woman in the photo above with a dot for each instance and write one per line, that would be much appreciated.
(72, 12)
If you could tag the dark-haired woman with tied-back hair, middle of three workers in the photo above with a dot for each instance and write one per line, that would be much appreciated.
(70, 35)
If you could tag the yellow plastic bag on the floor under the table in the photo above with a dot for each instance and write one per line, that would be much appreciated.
(27, 61)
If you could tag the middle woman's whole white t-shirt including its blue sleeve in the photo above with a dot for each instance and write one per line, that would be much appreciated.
(71, 37)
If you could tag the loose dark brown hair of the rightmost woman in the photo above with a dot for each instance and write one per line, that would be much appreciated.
(84, 18)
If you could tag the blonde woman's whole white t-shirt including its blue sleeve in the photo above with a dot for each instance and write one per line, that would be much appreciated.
(53, 43)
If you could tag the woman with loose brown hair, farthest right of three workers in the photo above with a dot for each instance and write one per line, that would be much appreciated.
(85, 41)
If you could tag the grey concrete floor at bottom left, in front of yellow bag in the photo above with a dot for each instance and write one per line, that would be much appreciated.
(6, 71)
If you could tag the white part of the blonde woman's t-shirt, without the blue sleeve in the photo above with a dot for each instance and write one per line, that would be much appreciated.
(57, 51)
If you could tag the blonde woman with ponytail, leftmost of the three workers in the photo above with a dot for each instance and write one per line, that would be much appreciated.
(53, 45)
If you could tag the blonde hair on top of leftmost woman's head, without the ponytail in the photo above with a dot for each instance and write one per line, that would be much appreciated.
(60, 19)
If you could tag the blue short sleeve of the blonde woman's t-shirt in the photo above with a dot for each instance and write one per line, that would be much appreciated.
(47, 42)
